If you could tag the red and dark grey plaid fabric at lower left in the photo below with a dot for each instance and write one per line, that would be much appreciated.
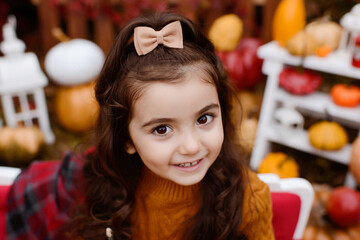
(41, 196)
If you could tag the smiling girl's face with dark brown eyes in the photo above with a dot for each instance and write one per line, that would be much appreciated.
(176, 128)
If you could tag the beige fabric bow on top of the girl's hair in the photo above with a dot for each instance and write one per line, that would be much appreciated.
(146, 38)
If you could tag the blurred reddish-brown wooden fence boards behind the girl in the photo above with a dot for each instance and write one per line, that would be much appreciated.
(102, 29)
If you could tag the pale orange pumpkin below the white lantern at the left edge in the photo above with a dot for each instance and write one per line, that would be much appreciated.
(19, 145)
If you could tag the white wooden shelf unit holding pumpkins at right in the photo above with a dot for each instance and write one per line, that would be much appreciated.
(315, 104)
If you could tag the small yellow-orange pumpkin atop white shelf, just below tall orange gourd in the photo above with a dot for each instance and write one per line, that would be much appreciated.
(301, 44)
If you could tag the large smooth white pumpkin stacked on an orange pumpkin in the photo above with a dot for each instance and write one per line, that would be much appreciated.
(74, 62)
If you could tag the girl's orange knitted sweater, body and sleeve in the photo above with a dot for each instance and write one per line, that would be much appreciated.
(162, 206)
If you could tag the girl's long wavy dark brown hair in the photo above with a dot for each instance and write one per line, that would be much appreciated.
(112, 175)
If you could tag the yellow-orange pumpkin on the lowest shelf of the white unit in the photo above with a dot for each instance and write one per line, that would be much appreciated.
(327, 135)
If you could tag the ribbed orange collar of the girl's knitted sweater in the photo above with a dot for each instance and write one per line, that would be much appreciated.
(165, 190)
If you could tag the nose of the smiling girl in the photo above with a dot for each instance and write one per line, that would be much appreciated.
(190, 143)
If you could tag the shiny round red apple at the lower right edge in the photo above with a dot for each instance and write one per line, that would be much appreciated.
(343, 206)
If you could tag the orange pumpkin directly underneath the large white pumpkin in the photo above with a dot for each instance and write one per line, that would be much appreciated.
(76, 107)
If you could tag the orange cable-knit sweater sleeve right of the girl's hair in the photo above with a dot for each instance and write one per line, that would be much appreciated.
(257, 210)
